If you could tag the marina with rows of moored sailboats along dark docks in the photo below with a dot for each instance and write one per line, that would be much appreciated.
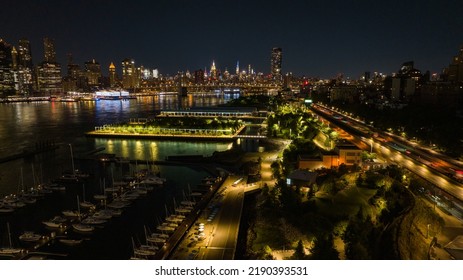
(71, 229)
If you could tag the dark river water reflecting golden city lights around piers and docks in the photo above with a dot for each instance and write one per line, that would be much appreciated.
(28, 125)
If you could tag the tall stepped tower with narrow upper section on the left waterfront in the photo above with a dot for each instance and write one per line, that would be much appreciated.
(49, 71)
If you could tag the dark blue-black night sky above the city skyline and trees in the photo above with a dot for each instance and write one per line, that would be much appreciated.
(318, 38)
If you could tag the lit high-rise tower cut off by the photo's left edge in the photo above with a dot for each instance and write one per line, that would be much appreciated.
(6, 68)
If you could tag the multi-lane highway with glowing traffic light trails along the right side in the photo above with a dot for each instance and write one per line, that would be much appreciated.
(432, 166)
